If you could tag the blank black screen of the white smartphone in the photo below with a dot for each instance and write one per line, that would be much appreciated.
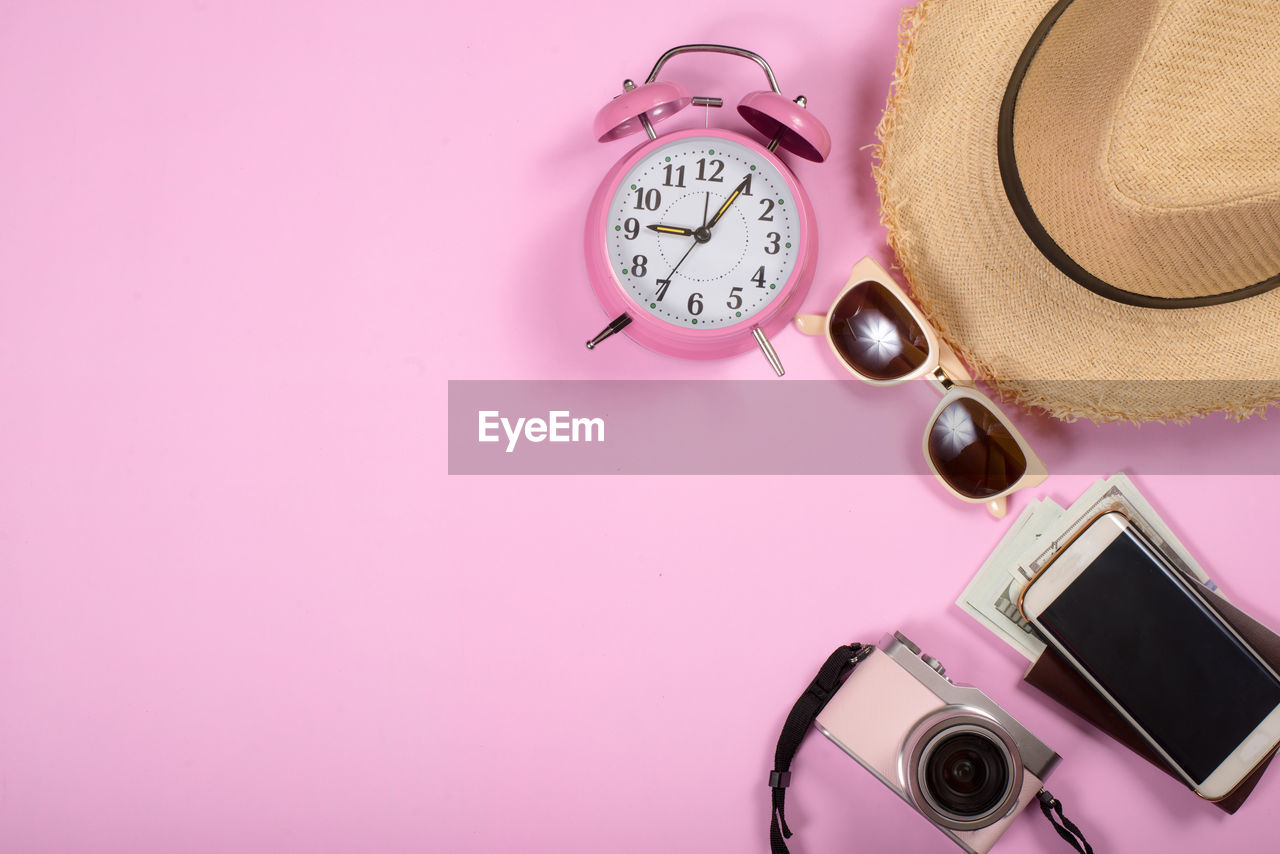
(1163, 656)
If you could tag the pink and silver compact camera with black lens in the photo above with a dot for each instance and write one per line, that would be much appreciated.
(949, 751)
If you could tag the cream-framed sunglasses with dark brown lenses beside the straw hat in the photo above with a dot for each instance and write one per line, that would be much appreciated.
(884, 340)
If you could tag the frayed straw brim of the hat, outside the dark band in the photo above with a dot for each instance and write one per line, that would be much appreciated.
(1034, 334)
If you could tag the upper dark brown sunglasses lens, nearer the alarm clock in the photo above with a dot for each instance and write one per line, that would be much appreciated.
(876, 335)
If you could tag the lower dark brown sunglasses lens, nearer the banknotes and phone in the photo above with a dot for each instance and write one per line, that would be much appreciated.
(973, 451)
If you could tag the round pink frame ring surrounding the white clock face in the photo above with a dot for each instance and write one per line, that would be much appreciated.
(678, 341)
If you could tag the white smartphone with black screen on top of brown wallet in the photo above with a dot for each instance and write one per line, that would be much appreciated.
(1154, 647)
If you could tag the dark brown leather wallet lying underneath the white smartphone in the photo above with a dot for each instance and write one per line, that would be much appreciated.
(1053, 675)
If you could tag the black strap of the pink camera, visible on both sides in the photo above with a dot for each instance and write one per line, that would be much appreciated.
(824, 687)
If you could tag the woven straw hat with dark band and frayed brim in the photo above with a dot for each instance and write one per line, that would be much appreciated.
(1085, 198)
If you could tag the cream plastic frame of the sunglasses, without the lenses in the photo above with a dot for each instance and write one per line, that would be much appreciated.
(944, 371)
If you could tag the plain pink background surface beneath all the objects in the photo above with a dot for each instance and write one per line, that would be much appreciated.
(243, 606)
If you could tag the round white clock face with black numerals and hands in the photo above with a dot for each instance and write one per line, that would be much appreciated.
(703, 232)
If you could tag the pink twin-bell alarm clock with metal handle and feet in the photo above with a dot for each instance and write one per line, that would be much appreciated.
(702, 244)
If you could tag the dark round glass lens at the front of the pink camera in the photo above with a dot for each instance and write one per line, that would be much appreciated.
(967, 775)
